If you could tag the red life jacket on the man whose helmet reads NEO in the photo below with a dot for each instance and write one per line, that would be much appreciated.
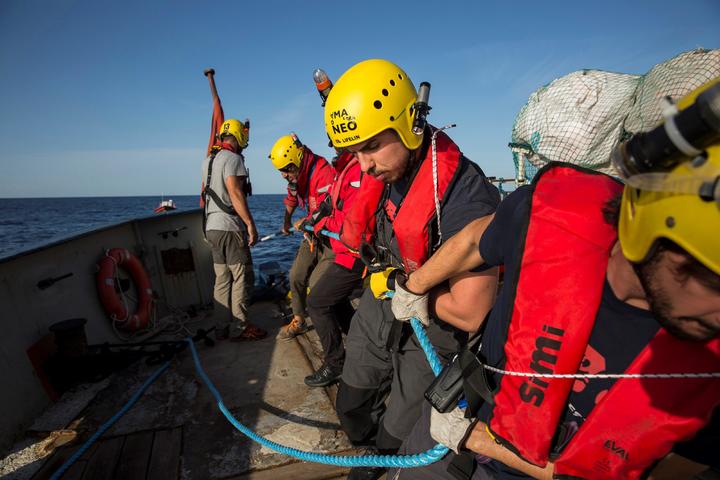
(411, 225)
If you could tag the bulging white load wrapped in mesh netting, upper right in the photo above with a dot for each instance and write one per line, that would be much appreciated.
(581, 117)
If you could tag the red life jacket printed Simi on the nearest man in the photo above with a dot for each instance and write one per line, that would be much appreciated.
(558, 290)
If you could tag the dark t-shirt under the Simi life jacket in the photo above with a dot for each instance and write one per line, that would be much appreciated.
(620, 332)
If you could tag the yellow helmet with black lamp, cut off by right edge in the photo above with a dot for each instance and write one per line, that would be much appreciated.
(682, 204)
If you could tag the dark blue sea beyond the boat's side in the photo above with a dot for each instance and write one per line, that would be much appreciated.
(32, 222)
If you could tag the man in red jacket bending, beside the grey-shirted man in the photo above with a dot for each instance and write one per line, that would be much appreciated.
(309, 178)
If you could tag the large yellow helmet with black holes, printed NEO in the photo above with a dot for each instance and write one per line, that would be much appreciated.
(369, 98)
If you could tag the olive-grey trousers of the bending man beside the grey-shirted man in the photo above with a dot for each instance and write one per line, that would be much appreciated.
(308, 267)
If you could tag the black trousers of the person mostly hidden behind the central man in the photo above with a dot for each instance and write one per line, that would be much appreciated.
(329, 307)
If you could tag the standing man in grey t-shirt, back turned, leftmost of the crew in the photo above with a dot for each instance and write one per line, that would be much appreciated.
(230, 229)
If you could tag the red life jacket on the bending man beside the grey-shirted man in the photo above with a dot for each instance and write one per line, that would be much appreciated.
(313, 183)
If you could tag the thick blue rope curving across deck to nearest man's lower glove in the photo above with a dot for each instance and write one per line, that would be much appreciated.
(387, 461)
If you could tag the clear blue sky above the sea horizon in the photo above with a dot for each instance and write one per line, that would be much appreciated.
(108, 98)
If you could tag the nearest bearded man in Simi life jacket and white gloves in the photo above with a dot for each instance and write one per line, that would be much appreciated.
(600, 278)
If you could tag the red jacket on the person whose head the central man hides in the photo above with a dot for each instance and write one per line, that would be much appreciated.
(343, 194)
